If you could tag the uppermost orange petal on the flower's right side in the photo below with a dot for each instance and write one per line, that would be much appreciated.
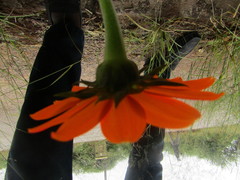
(198, 84)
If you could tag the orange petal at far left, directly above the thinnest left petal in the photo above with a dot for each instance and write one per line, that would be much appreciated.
(56, 108)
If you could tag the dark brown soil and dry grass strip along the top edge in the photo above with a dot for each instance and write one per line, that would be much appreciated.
(30, 19)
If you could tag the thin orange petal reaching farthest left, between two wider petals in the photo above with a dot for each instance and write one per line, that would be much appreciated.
(63, 117)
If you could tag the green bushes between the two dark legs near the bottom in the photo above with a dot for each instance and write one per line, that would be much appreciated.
(84, 157)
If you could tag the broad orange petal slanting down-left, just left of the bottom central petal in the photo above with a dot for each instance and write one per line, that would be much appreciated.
(83, 121)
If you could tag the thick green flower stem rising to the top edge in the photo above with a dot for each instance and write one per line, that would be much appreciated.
(114, 47)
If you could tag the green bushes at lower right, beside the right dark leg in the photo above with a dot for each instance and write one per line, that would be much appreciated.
(213, 144)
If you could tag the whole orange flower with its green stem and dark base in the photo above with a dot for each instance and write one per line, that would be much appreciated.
(121, 100)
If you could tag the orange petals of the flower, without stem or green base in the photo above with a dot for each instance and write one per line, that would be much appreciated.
(125, 120)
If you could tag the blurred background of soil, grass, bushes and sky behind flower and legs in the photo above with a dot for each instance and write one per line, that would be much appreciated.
(210, 149)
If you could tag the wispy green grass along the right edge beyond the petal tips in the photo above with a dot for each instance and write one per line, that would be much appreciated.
(222, 62)
